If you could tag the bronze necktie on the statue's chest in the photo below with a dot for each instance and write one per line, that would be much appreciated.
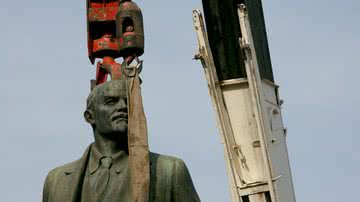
(103, 177)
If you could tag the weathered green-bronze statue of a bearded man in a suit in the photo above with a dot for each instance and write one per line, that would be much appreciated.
(102, 173)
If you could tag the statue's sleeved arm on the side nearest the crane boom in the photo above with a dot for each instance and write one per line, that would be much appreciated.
(183, 187)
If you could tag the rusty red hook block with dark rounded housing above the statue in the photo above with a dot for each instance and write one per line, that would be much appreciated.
(115, 28)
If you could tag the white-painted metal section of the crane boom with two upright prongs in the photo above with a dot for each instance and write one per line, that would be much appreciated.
(249, 119)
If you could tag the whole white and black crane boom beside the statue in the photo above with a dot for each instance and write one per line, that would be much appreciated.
(235, 57)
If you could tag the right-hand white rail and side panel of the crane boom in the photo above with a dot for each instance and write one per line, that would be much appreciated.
(269, 120)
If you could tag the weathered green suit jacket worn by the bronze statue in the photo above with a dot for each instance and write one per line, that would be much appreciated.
(170, 181)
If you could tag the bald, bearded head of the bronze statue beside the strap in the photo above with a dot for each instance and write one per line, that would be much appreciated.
(106, 109)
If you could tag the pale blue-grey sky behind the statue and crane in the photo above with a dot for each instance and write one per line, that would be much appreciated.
(45, 73)
